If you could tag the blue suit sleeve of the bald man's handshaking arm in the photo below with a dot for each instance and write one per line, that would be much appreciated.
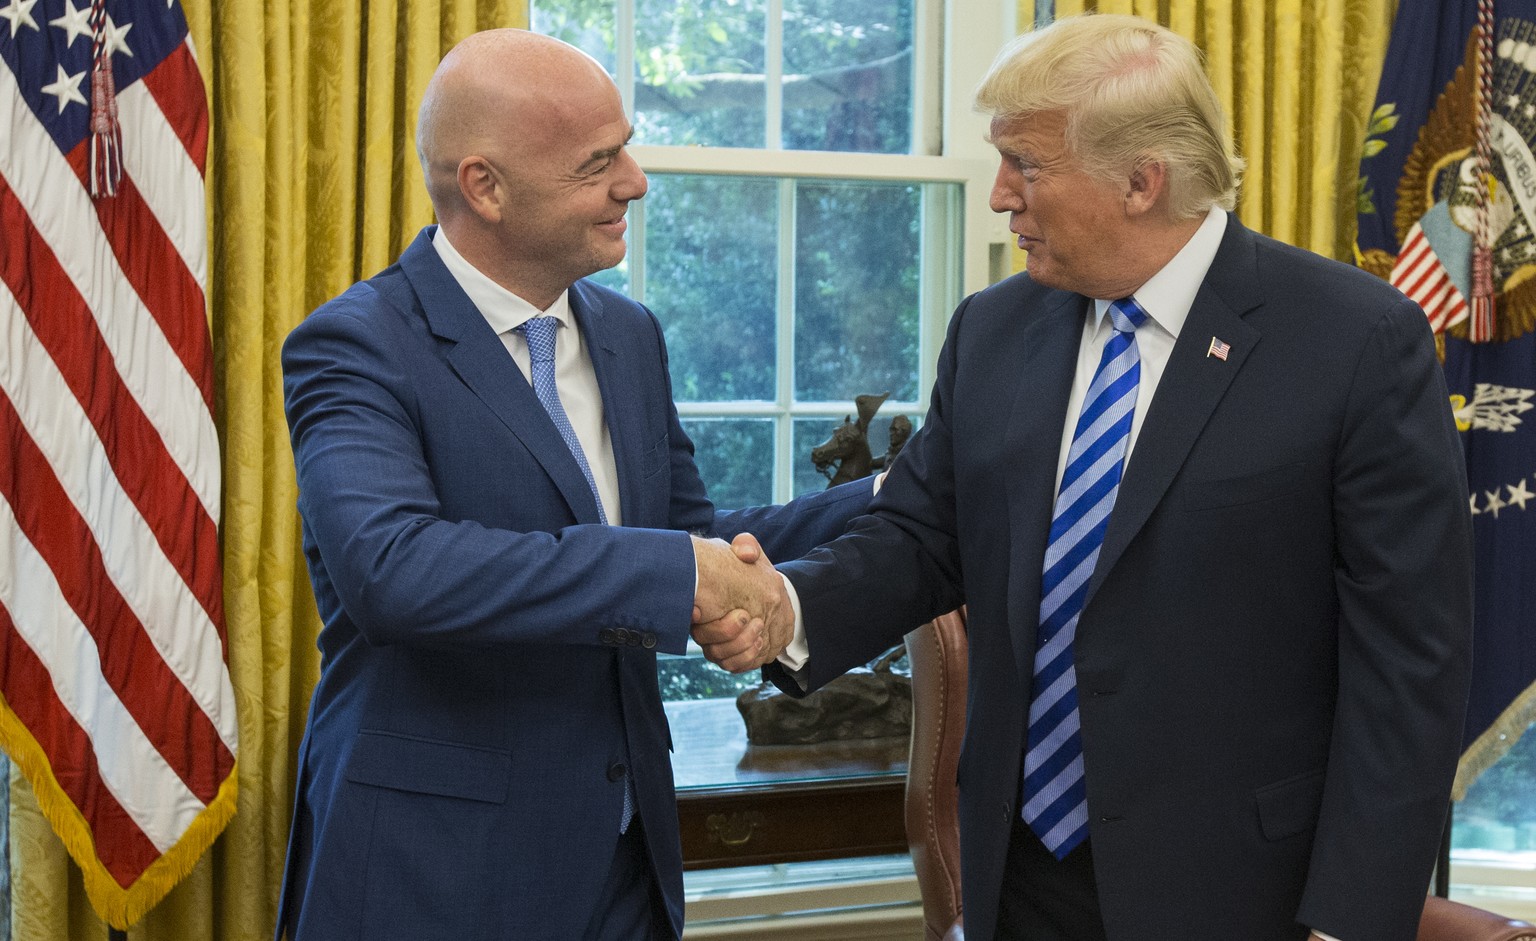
(408, 573)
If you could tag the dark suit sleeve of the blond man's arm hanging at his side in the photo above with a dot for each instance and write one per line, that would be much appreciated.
(1403, 576)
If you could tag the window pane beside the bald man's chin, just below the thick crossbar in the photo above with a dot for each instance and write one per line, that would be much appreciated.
(710, 277)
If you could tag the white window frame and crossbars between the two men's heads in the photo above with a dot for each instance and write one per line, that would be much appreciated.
(953, 150)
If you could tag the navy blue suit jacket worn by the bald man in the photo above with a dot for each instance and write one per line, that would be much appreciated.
(489, 652)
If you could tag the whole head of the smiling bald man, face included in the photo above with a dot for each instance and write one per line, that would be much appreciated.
(523, 142)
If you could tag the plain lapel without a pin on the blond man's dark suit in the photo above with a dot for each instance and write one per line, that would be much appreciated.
(1047, 360)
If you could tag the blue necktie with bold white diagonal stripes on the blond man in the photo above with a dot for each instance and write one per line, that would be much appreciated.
(1056, 797)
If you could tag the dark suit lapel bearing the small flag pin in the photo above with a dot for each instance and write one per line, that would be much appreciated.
(1193, 385)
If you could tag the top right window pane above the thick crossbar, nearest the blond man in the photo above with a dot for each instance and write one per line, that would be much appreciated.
(849, 76)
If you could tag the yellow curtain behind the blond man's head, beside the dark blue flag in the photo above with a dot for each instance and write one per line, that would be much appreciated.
(1299, 81)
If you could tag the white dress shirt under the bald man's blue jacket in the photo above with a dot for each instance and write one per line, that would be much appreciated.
(574, 374)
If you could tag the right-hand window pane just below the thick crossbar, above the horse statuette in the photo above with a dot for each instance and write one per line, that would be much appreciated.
(856, 291)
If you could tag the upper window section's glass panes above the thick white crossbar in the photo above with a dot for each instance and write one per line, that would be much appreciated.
(792, 74)
